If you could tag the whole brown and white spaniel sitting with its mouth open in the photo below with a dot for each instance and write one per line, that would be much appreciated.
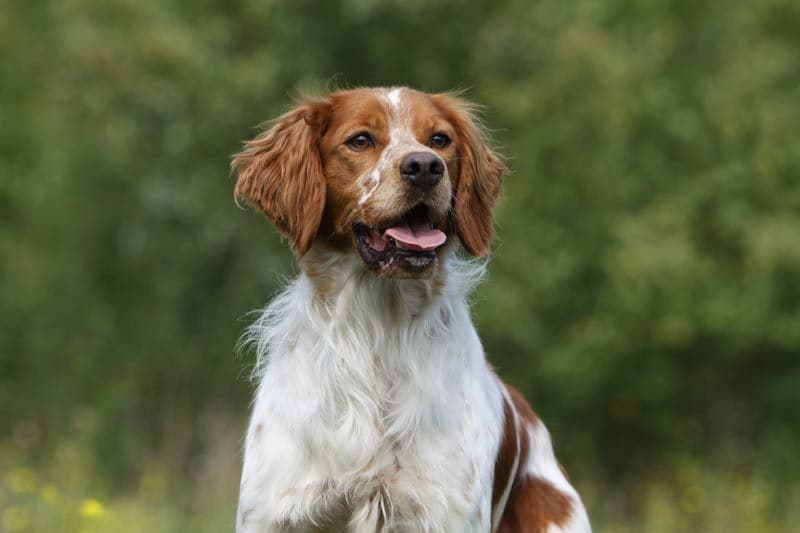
(376, 409)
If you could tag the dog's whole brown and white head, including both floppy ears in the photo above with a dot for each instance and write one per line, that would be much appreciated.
(390, 174)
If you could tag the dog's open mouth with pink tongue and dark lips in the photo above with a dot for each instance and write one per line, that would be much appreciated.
(411, 240)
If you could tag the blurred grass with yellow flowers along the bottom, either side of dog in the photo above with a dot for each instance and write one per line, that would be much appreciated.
(65, 493)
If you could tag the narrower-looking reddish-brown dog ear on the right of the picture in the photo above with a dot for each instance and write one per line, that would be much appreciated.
(480, 179)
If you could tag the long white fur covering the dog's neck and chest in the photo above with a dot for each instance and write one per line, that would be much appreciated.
(375, 408)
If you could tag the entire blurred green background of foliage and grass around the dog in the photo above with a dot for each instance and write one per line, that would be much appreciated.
(645, 293)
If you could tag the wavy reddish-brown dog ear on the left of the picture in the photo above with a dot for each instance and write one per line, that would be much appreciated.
(280, 173)
